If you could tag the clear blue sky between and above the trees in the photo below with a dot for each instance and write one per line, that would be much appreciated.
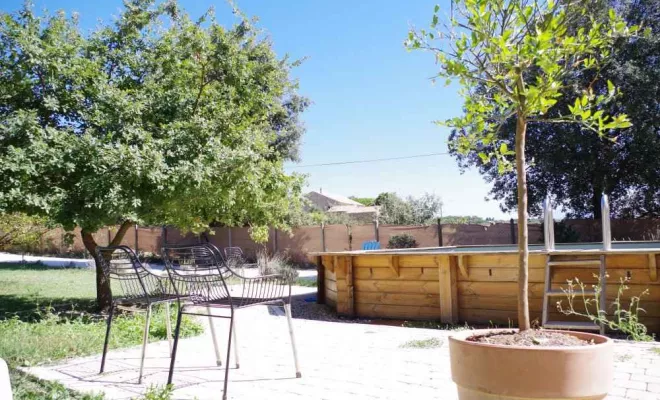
(371, 98)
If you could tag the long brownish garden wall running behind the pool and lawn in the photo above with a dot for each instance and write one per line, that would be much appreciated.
(307, 239)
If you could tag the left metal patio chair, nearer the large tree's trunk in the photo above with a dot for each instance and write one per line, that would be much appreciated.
(140, 289)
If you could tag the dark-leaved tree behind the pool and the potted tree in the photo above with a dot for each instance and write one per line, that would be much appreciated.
(577, 167)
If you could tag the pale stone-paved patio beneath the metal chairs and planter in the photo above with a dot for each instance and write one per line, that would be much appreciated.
(338, 361)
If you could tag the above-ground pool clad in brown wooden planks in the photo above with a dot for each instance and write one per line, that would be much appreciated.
(478, 284)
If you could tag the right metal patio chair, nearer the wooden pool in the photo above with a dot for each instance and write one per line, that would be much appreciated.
(203, 272)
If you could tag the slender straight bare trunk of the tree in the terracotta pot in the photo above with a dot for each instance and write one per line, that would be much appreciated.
(523, 239)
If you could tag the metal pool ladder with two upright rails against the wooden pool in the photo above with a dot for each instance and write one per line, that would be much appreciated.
(557, 260)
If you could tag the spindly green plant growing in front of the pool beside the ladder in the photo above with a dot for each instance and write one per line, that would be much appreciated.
(625, 320)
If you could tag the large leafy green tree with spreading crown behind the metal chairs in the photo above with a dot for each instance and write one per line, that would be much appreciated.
(154, 119)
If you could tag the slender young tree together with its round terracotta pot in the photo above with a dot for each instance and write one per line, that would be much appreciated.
(512, 59)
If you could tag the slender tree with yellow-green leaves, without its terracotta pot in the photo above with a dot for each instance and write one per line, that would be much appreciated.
(511, 59)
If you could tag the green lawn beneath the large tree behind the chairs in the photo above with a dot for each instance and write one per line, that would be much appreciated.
(48, 314)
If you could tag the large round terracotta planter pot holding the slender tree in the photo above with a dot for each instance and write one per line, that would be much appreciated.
(494, 372)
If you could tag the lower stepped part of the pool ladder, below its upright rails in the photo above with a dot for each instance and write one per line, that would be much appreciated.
(548, 293)
